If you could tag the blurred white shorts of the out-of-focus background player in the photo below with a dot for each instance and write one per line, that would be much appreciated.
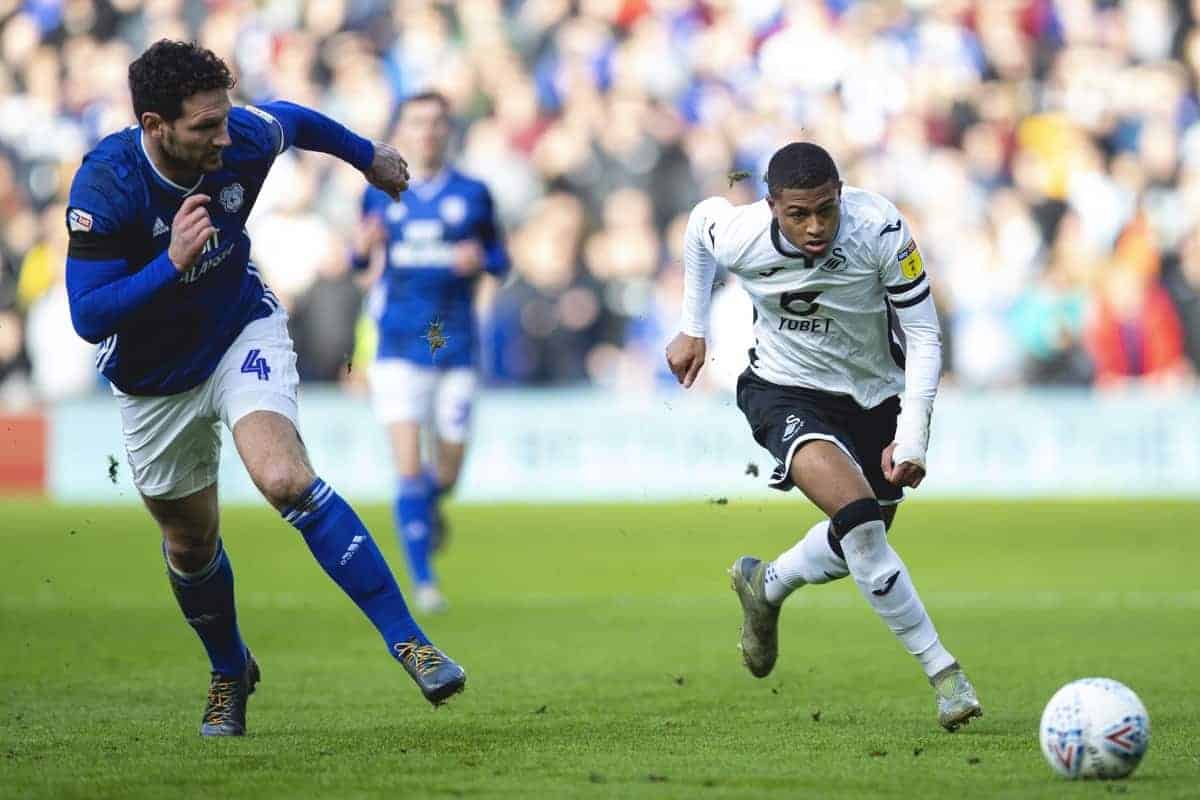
(403, 392)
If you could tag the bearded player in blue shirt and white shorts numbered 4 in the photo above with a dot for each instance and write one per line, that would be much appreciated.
(159, 275)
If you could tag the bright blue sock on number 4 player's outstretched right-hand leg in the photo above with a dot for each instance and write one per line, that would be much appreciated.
(350, 556)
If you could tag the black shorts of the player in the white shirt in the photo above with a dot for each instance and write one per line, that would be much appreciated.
(784, 418)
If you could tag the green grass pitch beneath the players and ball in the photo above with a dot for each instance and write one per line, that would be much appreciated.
(601, 647)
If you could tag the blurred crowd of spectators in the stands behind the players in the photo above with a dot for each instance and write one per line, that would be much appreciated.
(1046, 152)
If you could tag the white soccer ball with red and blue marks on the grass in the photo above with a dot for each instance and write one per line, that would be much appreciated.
(1095, 727)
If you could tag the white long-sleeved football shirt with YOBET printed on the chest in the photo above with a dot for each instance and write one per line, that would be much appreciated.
(826, 323)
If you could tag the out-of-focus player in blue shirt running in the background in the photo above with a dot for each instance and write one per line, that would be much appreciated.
(434, 248)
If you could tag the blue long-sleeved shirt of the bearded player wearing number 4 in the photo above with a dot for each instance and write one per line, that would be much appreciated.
(161, 332)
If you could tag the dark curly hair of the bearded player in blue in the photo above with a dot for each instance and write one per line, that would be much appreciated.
(171, 73)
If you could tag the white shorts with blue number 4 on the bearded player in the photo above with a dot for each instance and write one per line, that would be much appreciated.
(173, 443)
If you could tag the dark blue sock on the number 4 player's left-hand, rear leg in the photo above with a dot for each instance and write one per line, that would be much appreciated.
(207, 600)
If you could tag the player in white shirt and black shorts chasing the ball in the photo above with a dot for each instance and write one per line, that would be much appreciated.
(835, 276)
